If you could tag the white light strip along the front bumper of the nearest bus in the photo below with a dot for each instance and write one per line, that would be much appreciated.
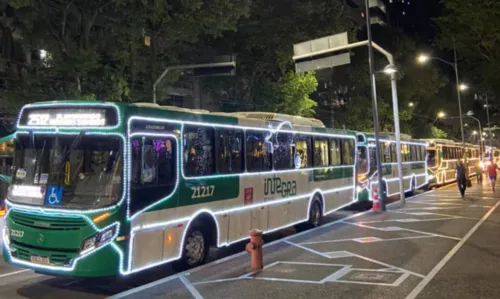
(15, 260)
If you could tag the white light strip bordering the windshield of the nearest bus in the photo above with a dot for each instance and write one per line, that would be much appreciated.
(42, 209)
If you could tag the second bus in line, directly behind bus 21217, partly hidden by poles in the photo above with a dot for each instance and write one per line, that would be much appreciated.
(414, 166)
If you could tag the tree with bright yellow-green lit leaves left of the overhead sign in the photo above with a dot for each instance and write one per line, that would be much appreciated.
(265, 79)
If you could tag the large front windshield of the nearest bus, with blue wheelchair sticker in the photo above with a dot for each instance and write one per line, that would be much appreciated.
(88, 170)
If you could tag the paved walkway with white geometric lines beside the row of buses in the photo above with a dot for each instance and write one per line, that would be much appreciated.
(417, 250)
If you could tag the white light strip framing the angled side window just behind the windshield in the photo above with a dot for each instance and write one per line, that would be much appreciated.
(129, 163)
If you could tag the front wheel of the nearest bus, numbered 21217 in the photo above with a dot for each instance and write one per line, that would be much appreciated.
(195, 248)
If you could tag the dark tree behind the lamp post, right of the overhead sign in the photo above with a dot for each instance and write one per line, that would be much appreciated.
(420, 86)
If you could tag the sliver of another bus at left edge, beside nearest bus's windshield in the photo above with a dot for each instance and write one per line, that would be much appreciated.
(6, 157)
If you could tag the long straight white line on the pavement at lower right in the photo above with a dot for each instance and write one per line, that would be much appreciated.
(414, 293)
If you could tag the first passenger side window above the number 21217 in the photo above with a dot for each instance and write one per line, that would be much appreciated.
(199, 157)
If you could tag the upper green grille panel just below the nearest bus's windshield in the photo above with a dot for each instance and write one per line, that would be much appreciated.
(45, 222)
